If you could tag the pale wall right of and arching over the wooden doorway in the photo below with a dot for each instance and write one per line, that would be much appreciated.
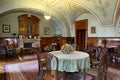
(101, 31)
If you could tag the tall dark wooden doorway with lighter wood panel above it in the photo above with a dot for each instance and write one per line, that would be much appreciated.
(81, 34)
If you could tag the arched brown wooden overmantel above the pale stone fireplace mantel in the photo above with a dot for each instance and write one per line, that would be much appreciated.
(28, 25)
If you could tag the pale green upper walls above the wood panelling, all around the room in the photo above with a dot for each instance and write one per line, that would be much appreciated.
(101, 31)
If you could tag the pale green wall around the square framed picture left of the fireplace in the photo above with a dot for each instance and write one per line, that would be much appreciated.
(9, 20)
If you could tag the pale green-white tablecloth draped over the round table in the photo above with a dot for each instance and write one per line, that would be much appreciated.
(74, 62)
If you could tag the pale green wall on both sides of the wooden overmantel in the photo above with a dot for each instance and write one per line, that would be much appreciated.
(12, 20)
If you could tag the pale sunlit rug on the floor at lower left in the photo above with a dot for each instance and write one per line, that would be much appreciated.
(22, 71)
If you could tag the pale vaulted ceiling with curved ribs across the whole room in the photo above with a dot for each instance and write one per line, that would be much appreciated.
(65, 11)
